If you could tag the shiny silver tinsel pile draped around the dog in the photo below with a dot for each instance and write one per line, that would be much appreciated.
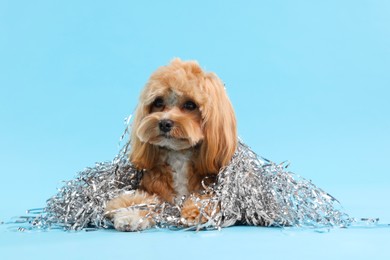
(250, 190)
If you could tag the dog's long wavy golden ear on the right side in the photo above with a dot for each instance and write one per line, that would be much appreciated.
(219, 127)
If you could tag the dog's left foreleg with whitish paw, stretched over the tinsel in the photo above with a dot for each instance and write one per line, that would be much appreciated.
(128, 218)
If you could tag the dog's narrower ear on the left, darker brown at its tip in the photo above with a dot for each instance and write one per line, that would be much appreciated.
(142, 155)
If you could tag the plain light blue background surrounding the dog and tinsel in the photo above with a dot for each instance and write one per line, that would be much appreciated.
(309, 81)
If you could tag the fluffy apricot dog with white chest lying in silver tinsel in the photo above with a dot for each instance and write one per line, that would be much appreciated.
(184, 131)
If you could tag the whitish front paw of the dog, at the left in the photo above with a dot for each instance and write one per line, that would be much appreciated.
(131, 220)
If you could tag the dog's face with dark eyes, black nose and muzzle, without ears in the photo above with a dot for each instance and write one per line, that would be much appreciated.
(174, 119)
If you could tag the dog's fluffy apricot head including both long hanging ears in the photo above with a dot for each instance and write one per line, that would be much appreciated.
(182, 107)
